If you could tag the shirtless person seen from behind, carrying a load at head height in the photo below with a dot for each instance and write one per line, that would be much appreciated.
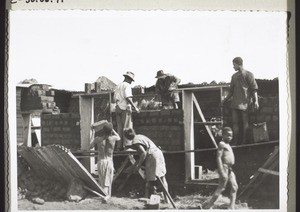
(105, 145)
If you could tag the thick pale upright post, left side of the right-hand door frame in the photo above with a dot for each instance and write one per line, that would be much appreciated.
(188, 120)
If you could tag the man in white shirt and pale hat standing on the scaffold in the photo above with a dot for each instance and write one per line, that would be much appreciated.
(124, 105)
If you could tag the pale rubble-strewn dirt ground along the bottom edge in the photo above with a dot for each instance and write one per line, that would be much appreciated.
(124, 203)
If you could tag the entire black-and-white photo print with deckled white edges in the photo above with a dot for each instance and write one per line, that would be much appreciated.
(139, 110)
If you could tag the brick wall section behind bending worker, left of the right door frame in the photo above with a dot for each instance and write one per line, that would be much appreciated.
(163, 127)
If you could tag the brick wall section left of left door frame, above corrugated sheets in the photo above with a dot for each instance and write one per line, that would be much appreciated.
(63, 129)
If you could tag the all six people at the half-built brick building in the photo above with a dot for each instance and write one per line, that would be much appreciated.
(243, 90)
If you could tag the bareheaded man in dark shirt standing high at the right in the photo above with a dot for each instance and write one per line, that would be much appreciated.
(243, 90)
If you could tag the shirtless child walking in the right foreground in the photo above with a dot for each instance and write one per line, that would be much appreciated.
(225, 161)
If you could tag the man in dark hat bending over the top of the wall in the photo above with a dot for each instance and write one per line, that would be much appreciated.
(166, 85)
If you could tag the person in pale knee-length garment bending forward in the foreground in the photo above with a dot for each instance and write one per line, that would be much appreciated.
(154, 160)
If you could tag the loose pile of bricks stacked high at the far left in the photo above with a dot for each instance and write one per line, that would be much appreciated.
(38, 97)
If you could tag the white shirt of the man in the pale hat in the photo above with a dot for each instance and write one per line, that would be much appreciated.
(122, 91)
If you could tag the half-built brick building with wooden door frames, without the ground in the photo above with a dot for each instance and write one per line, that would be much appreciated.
(53, 135)
